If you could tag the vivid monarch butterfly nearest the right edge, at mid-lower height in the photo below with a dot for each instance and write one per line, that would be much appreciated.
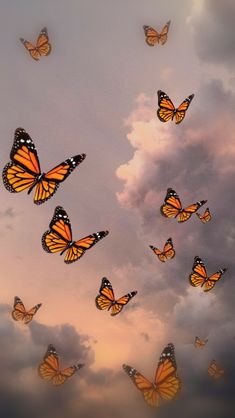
(199, 277)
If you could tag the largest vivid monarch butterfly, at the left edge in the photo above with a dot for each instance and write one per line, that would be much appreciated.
(23, 172)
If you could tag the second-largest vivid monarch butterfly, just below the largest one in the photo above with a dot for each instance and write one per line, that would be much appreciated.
(59, 238)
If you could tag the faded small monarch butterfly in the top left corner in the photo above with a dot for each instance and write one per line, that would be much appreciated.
(42, 47)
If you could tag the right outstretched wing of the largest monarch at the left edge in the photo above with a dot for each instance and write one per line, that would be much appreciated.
(50, 181)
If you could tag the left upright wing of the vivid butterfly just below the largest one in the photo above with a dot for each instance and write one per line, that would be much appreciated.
(59, 236)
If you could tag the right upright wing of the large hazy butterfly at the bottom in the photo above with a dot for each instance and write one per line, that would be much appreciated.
(167, 382)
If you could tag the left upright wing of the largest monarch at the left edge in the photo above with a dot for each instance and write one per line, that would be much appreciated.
(23, 170)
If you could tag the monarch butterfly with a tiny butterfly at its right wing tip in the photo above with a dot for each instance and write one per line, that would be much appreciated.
(172, 207)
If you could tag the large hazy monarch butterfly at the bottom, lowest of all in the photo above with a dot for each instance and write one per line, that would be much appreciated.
(166, 383)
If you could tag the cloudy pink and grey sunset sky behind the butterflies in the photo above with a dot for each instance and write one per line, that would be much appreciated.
(97, 94)
